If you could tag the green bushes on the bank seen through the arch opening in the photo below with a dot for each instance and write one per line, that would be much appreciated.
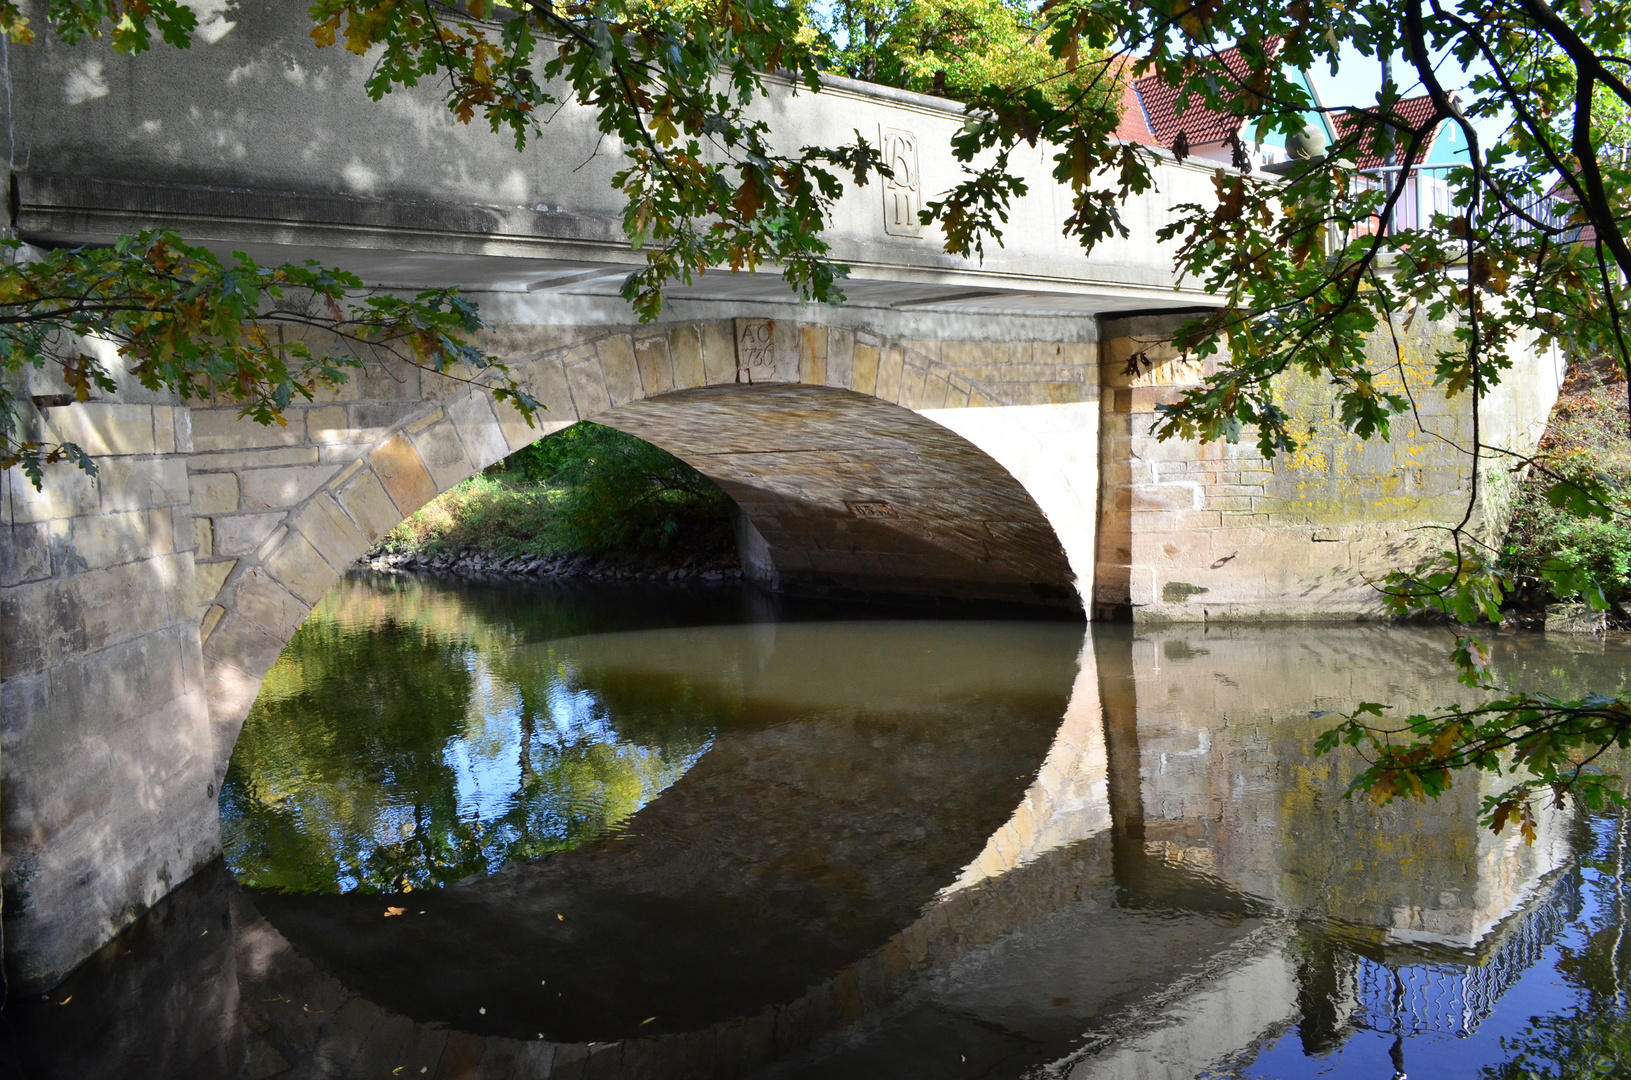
(583, 490)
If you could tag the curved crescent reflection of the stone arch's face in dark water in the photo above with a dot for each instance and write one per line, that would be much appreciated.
(1033, 862)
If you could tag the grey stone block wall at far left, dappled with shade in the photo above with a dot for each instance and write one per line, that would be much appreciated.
(107, 758)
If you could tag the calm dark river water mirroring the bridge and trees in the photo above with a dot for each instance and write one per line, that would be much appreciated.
(526, 831)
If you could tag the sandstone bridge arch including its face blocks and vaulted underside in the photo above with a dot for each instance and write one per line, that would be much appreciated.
(860, 466)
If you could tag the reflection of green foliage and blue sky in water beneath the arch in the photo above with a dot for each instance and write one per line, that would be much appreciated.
(391, 755)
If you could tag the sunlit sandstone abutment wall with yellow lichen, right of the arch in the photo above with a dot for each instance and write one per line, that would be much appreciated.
(1216, 531)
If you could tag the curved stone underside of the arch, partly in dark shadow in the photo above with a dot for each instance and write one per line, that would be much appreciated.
(847, 495)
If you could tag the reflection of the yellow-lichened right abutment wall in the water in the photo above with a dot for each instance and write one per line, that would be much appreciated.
(1231, 784)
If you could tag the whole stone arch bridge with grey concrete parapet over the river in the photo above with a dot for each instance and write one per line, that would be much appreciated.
(958, 430)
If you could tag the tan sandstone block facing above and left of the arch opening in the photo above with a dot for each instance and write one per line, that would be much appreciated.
(285, 511)
